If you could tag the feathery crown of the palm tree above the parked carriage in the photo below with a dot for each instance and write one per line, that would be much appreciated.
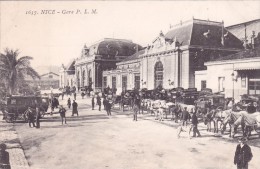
(13, 70)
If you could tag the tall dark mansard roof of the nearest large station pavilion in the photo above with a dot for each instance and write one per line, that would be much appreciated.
(203, 33)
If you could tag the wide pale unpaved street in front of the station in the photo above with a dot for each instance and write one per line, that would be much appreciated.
(94, 140)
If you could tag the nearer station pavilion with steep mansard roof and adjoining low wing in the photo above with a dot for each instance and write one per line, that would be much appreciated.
(172, 59)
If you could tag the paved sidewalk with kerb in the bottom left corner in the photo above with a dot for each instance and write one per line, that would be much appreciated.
(9, 136)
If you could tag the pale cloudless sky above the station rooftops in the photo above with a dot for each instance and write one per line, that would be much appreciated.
(56, 39)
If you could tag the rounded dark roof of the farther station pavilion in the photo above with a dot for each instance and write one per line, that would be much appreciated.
(109, 47)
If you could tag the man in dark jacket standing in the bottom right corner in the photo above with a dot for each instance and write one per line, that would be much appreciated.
(243, 154)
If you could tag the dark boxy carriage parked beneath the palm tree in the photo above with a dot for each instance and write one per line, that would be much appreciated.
(16, 106)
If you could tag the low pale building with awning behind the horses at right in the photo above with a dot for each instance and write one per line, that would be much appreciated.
(236, 74)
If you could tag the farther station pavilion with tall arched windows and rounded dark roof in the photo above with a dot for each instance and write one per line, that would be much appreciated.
(99, 57)
